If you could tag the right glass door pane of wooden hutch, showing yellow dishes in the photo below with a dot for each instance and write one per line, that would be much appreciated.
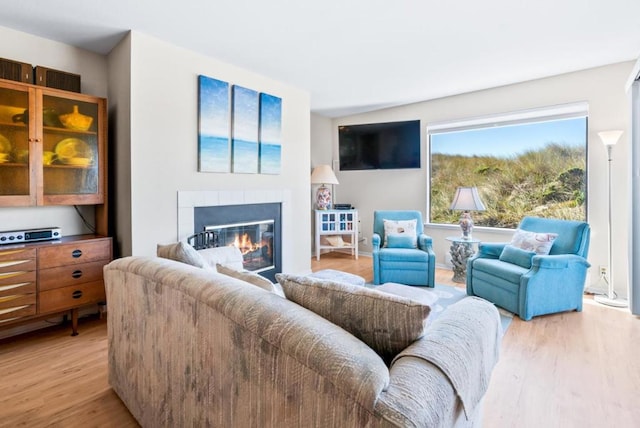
(70, 148)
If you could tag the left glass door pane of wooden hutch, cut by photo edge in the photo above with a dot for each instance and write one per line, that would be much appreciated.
(15, 141)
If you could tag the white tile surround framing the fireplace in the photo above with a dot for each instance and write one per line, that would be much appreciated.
(188, 200)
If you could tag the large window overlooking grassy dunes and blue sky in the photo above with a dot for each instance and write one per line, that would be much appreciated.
(529, 163)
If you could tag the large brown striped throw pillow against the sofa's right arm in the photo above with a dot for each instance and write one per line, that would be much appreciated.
(386, 323)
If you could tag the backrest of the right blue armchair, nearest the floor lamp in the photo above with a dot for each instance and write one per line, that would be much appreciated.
(573, 236)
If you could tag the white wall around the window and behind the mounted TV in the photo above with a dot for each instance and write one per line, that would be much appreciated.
(604, 90)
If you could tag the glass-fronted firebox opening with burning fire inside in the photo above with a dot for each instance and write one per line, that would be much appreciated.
(255, 240)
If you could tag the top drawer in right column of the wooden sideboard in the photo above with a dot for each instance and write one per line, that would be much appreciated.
(74, 253)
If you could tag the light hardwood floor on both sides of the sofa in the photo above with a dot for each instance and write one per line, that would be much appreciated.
(564, 370)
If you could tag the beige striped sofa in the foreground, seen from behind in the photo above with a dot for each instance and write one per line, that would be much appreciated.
(190, 347)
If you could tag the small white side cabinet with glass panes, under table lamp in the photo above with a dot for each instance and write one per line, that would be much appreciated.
(336, 230)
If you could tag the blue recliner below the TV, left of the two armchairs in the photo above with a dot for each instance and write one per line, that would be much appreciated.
(398, 262)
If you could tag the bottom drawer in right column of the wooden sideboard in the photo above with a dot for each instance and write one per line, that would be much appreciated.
(73, 296)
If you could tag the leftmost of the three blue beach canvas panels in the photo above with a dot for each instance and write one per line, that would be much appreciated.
(214, 118)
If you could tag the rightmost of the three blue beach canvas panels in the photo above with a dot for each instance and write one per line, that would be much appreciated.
(270, 134)
